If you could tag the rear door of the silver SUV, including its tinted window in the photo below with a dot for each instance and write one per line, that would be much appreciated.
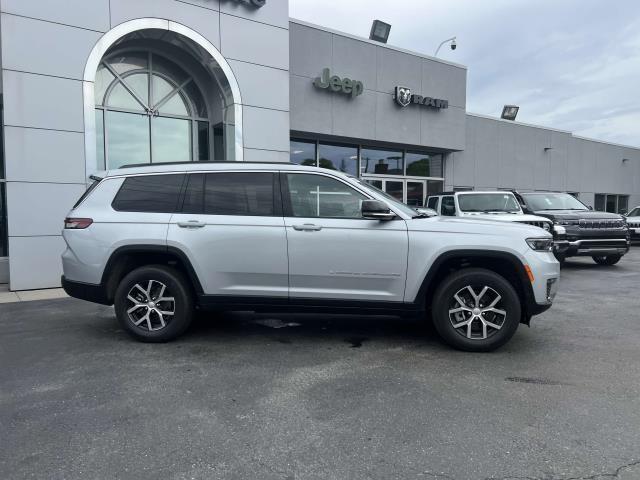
(231, 228)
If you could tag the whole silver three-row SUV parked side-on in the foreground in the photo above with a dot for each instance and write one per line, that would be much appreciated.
(159, 241)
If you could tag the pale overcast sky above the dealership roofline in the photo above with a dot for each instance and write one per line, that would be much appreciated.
(569, 64)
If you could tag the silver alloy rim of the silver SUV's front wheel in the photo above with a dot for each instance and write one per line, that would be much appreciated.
(477, 316)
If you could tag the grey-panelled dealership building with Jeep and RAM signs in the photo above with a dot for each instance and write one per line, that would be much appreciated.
(93, 85)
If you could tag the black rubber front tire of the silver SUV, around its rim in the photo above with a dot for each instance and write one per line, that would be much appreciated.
(477, 278)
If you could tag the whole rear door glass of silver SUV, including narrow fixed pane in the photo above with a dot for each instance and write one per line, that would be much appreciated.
(243, 194)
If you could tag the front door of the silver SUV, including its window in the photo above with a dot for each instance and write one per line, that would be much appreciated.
(334, 253)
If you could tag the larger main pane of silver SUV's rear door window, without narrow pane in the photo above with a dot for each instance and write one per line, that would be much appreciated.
(239, 194)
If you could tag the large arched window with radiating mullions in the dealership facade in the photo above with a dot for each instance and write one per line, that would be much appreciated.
(148, 110)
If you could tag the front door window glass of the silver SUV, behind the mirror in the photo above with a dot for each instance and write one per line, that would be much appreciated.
(317, 196)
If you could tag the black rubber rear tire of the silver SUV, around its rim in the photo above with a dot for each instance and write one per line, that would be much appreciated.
(151, 329)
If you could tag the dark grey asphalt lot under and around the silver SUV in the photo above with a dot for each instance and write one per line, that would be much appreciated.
(305, 397)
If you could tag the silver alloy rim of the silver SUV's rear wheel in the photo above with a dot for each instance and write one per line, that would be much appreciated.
(150, 308)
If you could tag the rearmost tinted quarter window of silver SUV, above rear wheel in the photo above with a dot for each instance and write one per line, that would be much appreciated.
(150, 193)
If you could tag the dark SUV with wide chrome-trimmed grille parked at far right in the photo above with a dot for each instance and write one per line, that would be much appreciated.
(578, 230)
